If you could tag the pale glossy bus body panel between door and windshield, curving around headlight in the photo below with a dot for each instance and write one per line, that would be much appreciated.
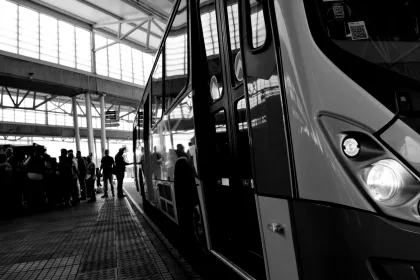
(313, 85)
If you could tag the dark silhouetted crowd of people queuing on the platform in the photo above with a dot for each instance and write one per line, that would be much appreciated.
(39, 180)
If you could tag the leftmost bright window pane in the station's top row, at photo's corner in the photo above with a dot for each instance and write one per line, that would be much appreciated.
(8, 26)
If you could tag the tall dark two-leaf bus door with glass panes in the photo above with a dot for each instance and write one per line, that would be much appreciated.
(230, 199)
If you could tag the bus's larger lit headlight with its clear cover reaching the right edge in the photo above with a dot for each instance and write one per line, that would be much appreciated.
(389, 183)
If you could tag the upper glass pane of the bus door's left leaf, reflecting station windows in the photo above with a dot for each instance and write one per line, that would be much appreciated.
(211, 42)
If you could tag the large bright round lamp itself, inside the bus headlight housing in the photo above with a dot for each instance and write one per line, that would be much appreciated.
(383, 180)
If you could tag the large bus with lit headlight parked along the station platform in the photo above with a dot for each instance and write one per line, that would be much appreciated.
(282, 137)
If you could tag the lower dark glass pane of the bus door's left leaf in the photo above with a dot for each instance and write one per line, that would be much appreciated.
(222, 169)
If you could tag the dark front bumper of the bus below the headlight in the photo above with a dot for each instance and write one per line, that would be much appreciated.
(334, 242)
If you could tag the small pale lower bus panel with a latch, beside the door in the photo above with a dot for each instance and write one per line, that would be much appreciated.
(280, 254)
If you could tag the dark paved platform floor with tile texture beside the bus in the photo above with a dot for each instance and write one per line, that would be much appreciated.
(101, 240)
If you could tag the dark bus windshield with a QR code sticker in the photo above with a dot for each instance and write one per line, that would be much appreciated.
(384, 32)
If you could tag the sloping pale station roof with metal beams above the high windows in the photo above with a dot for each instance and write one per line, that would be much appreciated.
(140, 23)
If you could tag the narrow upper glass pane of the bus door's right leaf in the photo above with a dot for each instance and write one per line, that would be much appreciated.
(232, 14)
